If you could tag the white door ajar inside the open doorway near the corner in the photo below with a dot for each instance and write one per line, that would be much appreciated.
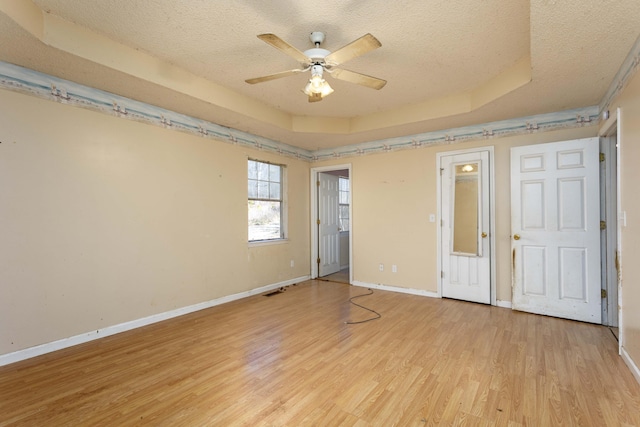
(329, 225)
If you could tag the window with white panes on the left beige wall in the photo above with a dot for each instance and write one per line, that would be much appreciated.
(265, 201)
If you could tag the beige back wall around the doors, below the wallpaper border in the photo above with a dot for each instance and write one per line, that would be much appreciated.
(393, 195)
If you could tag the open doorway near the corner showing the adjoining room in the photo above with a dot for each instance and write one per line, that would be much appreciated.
(331, 225)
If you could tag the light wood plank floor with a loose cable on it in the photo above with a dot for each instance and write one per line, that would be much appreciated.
(290, 359)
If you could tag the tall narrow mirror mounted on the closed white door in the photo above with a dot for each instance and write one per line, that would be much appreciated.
(465, 210)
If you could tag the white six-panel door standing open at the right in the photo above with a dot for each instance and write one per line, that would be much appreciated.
(555, 229)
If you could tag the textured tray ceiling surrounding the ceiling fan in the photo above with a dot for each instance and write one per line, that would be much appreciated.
(448, 63)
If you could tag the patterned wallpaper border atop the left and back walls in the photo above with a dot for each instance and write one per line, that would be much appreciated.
(31, 82)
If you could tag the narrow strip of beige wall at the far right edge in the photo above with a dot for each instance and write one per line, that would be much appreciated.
(629, 143)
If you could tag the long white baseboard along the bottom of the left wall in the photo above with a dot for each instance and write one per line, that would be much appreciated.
(39, 350)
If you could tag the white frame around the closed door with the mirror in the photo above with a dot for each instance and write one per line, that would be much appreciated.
(492, 217)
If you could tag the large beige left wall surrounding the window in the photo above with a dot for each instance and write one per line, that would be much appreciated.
(105, 220)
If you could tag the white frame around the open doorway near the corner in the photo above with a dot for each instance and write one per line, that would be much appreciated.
(314, 216)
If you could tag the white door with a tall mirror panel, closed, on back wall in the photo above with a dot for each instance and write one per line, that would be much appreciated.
(465, 227)
